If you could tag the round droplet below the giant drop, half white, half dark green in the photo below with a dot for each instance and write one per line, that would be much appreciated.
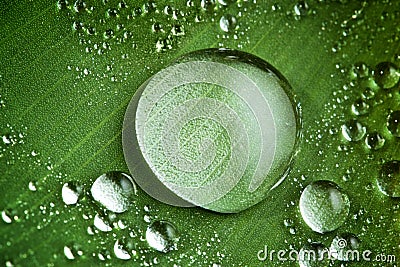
(162, 236)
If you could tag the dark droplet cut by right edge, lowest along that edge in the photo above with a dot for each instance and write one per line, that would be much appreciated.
(389, 178)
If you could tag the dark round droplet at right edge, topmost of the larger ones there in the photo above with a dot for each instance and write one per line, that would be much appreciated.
(386, 75)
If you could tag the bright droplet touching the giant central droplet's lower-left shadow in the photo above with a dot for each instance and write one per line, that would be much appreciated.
(114, 190)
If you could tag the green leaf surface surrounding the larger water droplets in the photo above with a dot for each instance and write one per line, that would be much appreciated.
(70, 69)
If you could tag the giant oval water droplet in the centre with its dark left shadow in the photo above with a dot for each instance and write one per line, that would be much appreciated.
(235, 132)
